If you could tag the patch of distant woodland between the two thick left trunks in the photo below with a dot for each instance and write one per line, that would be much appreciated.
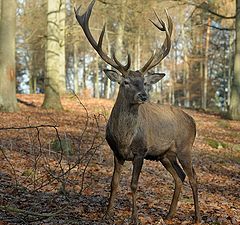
(30, 44)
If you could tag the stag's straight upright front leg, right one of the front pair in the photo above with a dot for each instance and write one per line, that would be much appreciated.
(137, 166)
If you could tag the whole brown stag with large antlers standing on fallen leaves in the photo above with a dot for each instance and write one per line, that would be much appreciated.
(138, 129)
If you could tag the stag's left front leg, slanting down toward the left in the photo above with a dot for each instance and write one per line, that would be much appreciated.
(114, 184)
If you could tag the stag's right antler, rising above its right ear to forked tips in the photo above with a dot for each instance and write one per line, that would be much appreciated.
(157, 57)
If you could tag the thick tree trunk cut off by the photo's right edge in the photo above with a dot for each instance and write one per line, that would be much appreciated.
(234, 109)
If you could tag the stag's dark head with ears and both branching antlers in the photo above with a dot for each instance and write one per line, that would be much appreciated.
(134, 85)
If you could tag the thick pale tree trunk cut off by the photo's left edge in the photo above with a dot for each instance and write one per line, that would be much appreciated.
(8, 101)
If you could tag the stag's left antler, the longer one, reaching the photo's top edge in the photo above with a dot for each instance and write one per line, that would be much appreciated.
(83, 22)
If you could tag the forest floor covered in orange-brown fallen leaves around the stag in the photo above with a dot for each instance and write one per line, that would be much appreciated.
(56, 167)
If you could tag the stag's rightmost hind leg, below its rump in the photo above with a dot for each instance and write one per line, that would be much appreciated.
(186, 162)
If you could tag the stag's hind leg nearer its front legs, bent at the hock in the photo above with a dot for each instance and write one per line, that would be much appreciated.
(172, 166)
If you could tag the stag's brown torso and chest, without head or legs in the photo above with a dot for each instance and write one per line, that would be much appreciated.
(148, 130)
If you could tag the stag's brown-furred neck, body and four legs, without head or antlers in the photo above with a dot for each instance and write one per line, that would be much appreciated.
(151, 131)
